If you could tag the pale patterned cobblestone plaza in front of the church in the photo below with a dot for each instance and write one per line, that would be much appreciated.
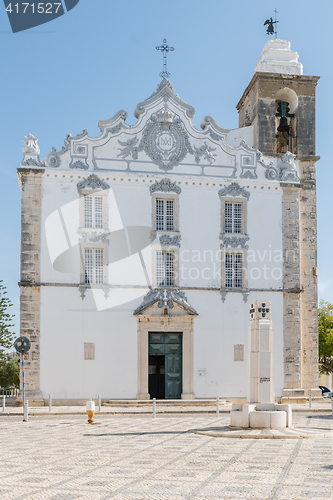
(136, 457)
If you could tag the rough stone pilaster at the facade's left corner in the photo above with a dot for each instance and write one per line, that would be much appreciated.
(31, 189)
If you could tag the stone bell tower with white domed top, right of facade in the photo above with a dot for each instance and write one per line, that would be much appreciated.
(279, 103)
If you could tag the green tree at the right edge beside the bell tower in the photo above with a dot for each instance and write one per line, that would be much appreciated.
(325, 331)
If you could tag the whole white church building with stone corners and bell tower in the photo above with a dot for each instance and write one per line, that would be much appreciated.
(143, 248)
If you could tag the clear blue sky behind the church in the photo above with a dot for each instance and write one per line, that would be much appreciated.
(100, 57)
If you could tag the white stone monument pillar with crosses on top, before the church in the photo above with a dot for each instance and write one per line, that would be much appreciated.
(260, 370)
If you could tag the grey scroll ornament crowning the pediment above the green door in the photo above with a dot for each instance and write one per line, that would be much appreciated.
(165, 298)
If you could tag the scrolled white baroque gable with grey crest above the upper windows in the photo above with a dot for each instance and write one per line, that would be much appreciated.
(164, 140)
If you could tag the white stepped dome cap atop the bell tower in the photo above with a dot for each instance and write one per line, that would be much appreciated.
(277, 57)
